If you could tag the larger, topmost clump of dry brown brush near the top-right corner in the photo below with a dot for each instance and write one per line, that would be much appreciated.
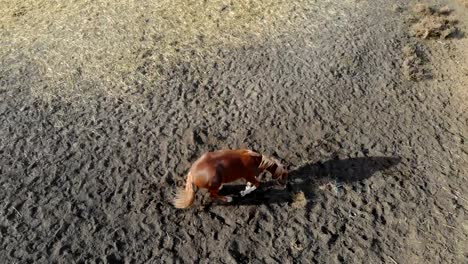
(434, 23)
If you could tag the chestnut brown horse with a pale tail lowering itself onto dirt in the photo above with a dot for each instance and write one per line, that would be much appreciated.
(213, 169)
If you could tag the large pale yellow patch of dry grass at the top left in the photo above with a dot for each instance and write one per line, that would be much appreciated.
(83, 47)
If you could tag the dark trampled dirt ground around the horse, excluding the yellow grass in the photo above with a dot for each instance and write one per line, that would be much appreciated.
(365, 102)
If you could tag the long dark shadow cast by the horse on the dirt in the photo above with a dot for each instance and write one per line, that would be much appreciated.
(306, 179)
